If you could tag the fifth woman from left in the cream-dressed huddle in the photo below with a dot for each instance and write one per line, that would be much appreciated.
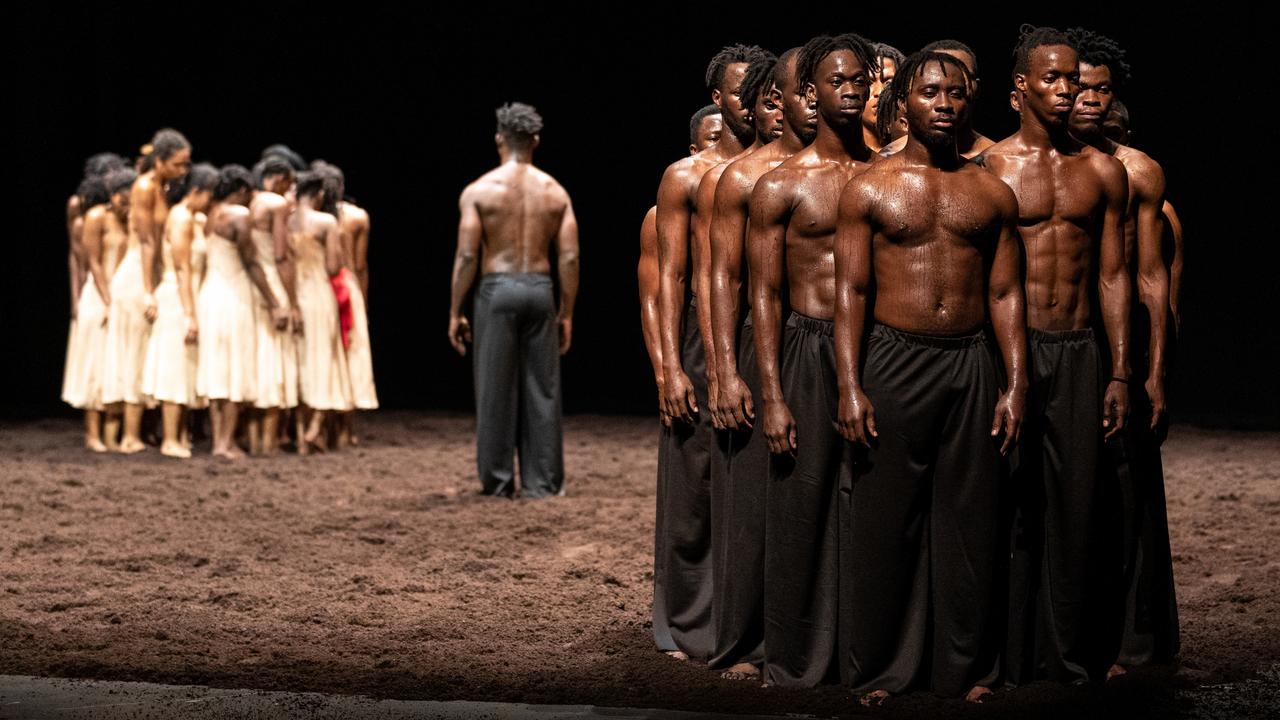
(276, 352)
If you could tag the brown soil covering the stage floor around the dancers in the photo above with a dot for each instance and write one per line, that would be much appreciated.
(380, 572)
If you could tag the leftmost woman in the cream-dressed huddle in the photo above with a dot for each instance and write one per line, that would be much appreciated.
(103, 249)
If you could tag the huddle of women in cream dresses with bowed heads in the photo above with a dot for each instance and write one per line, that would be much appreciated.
(236, 290)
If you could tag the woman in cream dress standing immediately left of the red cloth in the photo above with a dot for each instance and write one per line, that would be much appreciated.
(326, 384)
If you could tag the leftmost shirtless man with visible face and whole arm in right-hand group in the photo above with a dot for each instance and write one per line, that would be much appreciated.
(683, 566)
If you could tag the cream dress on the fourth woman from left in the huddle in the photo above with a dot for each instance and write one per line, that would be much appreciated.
(228, 366)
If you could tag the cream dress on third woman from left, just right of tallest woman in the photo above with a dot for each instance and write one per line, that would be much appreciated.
(170, 375)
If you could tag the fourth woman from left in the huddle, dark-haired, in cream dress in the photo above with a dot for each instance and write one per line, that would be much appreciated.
(228, 366)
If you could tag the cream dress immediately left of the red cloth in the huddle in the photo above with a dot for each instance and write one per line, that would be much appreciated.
(324, 380)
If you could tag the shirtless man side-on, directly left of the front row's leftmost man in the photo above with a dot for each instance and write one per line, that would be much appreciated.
(738, 495)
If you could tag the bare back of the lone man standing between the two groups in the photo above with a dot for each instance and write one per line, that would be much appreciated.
(522, 211)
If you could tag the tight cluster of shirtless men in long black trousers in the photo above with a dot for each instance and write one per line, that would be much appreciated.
(940, 471)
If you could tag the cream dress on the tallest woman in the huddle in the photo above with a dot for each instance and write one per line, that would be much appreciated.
(127, 330)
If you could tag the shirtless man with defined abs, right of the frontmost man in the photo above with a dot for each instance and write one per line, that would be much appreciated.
(1072, 203)
